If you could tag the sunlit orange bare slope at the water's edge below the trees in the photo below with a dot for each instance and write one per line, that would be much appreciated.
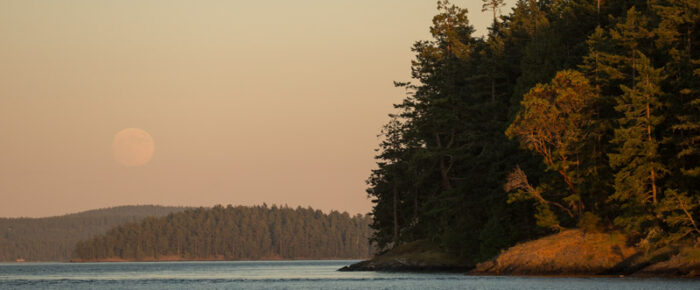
(574, 252)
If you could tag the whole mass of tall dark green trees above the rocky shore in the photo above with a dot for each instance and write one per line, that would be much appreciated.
(569, 113)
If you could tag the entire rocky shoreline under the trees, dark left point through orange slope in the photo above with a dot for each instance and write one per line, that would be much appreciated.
(569, 253)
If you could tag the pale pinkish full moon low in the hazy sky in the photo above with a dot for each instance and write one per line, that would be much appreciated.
(133, 147)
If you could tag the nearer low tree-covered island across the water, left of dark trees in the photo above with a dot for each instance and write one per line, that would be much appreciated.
(234, 233)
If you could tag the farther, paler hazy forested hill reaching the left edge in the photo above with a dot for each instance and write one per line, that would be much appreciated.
(54, 238)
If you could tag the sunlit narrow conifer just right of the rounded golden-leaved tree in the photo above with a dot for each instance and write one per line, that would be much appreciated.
(637, 157)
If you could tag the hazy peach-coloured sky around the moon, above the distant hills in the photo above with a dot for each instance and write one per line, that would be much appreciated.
(247, 101)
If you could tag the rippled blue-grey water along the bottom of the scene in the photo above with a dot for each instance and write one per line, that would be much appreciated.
(283, 275)
